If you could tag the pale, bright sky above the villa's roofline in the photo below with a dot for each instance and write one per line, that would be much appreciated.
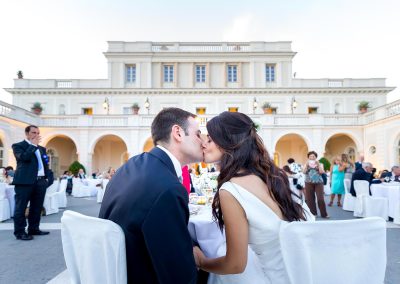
(65, 39)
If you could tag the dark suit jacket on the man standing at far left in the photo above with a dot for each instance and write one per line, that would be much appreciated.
(27, 163)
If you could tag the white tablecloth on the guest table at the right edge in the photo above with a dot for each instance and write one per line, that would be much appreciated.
(392, 192)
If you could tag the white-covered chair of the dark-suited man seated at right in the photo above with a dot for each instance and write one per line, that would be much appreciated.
(366, 205)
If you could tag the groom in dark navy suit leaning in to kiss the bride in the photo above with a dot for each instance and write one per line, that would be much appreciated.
(146, 198)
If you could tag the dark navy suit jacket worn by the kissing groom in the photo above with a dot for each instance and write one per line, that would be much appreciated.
(147, 200)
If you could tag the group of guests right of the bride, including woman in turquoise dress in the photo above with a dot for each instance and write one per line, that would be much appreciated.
(312, 177)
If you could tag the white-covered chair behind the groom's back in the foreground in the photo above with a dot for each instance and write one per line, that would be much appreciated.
(94, 249)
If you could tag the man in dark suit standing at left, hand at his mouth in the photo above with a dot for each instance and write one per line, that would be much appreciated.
(30, 180)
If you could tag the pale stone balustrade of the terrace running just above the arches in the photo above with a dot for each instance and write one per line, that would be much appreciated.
(144, 121)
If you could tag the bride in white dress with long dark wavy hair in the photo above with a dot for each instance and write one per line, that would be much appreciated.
(254, 199)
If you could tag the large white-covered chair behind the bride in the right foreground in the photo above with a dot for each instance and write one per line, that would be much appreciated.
(354, 249)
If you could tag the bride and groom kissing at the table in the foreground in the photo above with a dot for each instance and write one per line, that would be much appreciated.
(146, 198)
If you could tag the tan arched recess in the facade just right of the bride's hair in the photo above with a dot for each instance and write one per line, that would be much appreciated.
(291, 145)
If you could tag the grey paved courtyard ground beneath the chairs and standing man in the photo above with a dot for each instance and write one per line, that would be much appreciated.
(41, 260)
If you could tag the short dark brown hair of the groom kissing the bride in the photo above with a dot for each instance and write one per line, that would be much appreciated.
(165, 119)
